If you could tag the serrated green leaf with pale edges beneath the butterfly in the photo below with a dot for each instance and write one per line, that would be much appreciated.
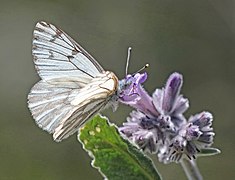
(112, 155)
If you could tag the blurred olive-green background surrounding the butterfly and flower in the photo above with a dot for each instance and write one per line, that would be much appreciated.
(195, 38)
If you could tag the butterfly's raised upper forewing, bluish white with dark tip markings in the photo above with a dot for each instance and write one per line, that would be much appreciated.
(59, 59)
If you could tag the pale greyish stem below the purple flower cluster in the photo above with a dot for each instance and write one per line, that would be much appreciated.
(191, 170)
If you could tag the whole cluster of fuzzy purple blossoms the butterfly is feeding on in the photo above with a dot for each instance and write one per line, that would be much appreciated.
(158, 124)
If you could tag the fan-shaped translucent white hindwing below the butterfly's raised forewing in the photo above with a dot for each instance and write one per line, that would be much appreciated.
(49, 105)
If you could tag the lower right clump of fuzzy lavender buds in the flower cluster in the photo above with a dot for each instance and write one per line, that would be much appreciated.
(196, 134)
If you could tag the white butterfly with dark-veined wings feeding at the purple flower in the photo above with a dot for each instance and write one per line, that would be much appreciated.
(73, 86)
